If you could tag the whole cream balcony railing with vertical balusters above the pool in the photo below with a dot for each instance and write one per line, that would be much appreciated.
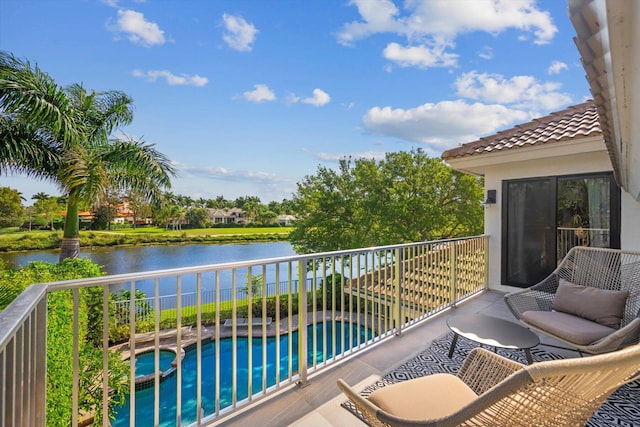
(350, 300)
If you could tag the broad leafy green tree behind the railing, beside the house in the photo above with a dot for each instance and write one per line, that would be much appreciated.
(407, 197)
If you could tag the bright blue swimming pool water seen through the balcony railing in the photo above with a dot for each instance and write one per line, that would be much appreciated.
(145, 398)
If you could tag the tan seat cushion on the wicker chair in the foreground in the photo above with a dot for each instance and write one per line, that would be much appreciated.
(425, 398)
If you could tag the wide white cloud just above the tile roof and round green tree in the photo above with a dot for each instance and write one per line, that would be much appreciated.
(443, 125)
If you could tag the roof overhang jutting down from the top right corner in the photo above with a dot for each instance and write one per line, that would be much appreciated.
(608, 39)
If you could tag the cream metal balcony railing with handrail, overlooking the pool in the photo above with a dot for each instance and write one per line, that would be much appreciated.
(349, 299)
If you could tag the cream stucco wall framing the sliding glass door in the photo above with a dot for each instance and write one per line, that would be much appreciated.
(560, 165)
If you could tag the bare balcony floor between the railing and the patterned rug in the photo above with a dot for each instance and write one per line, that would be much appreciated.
(318, 404)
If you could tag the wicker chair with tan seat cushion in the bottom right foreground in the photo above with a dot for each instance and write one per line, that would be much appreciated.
(490, 390)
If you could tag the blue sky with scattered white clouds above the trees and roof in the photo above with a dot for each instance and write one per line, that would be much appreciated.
(249, 96)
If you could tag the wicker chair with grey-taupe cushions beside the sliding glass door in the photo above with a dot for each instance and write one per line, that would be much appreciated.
(557, 306)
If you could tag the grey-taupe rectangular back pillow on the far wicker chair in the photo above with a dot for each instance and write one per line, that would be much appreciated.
(603, 306)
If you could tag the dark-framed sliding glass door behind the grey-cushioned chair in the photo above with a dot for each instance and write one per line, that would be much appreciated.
(545, 217)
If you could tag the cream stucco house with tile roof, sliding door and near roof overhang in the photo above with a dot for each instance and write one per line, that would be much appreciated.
(572, 177)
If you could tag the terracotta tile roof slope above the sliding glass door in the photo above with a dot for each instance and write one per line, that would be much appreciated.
(576, 121)
